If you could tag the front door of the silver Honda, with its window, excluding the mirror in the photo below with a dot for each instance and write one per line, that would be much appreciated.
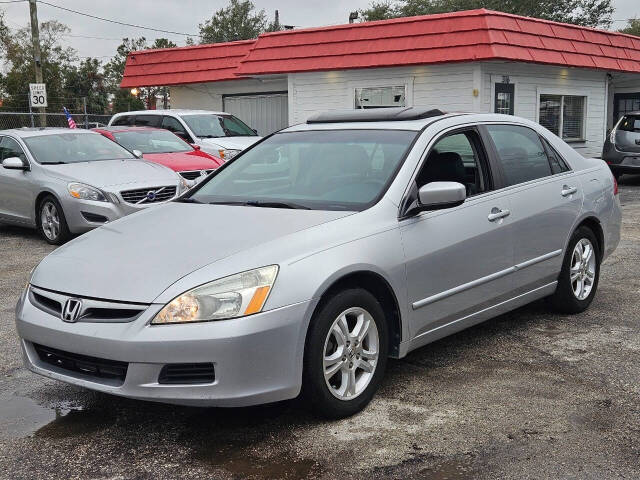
(456, 258)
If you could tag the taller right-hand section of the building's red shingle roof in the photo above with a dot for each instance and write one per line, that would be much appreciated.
(451, 37)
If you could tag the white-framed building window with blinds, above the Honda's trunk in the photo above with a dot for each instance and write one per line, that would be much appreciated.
(563, 115)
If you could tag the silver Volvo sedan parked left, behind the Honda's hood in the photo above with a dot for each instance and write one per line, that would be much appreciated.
(66, 182)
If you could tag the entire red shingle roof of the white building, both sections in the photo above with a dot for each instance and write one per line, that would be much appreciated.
(451, 37)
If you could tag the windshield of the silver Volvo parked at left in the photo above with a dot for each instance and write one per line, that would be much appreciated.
(73, 148)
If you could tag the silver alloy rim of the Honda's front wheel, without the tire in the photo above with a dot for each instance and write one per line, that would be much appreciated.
(351, 353)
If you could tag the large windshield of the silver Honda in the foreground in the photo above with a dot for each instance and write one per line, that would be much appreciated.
(320, 170)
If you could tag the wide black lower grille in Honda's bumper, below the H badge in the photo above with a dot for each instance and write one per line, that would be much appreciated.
(84, 364)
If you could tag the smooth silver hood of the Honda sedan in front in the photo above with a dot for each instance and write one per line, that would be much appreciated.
(139, 256)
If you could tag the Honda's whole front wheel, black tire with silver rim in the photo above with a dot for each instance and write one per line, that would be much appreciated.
(331, 397)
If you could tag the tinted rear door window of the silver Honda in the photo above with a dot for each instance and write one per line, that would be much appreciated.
(520, 152)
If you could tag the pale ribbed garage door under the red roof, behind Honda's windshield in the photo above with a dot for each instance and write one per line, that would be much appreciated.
(266, 112)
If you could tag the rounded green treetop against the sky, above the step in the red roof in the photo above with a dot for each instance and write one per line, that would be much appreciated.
(238, 21)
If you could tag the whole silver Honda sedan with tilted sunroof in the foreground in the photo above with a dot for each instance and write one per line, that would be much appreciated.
(313, 256)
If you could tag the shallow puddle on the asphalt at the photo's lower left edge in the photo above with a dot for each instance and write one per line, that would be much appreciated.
(21, 416)
